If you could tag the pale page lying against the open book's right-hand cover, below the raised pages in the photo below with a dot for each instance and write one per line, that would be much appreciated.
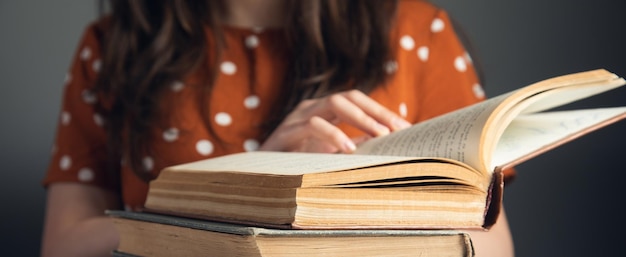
(529, 133)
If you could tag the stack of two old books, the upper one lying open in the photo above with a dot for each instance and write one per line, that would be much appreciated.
(405, 194)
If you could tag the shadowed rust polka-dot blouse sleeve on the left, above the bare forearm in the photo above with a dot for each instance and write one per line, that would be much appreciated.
(79, 153)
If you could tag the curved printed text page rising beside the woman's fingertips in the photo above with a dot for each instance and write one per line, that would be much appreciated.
(455, 135)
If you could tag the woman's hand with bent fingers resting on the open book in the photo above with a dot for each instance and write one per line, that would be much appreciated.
(311, 126)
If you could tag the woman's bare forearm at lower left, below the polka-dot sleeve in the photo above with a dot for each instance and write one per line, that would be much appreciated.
(75, 224)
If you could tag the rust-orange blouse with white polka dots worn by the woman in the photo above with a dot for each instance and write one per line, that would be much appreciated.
(431, 74)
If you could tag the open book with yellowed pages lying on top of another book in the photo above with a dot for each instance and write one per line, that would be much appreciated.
(440, 173)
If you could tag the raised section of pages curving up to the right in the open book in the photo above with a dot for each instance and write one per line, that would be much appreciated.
(463, 135)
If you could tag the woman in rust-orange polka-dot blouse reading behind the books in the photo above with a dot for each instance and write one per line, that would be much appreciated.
(158, 83)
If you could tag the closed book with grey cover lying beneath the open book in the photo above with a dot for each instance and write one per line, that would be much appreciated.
(146, 234)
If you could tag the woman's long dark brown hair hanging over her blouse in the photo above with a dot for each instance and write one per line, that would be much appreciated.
(150, 44)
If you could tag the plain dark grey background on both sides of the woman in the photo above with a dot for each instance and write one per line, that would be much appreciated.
(563, 203)
